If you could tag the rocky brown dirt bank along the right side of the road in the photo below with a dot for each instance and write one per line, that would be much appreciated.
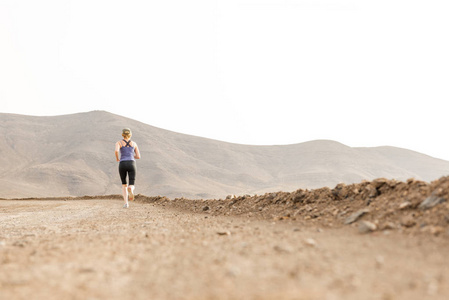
(411, 207)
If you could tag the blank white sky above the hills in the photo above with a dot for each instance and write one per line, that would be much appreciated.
(364, 73)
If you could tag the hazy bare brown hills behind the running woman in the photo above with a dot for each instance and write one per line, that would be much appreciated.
(73, 155)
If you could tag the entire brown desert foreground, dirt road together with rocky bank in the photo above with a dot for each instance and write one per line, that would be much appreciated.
(381, 239)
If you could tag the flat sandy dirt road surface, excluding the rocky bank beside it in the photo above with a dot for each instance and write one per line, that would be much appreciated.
(95, 249)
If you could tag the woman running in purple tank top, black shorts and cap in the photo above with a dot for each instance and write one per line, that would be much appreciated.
(129, 152)
